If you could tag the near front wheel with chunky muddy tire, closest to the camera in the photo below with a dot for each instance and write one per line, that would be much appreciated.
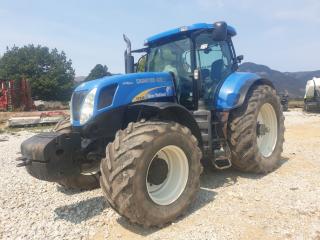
(139, 179)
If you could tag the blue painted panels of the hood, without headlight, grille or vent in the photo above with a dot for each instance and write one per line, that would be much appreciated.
(129, 86)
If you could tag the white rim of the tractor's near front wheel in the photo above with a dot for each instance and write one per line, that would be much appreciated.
(168, 188)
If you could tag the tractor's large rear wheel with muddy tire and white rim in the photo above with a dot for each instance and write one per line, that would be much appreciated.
(256, 131)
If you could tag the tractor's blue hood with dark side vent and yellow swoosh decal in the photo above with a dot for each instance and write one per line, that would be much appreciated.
(120, 90)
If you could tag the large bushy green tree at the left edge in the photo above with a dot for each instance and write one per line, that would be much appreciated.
(50, 73)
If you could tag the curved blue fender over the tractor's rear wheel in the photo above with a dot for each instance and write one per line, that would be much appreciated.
(235, 88)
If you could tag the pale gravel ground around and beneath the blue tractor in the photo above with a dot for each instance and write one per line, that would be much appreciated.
(284, 204)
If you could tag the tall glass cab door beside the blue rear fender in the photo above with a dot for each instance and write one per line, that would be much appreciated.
(215, 63)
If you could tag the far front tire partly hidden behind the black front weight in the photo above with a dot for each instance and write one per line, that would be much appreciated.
(81, 181)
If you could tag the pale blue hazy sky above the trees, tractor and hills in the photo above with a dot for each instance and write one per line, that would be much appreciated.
(284, 35)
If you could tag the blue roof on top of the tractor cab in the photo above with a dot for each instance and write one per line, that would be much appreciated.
(176, 32)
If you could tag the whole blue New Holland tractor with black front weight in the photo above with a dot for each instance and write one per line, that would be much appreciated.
(146, 135)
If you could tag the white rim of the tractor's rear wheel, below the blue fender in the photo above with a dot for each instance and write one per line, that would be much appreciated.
(267, 130)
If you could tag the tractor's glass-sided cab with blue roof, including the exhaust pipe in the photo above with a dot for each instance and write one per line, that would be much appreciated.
(199, 57)
